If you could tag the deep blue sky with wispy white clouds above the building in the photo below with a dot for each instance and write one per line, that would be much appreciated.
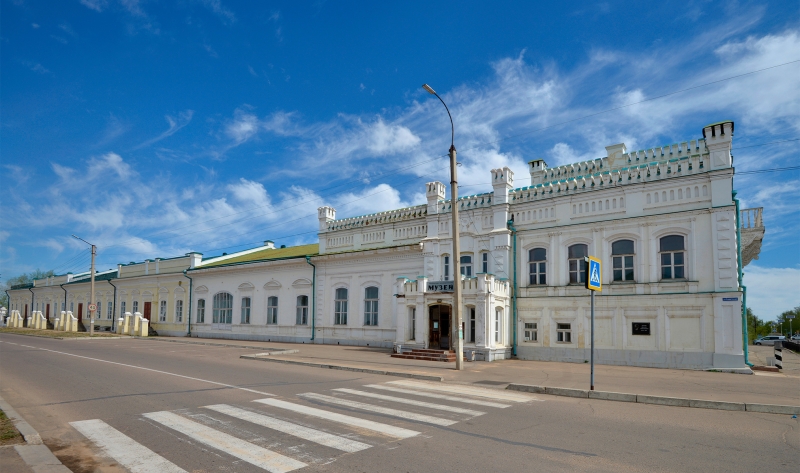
(156, 128)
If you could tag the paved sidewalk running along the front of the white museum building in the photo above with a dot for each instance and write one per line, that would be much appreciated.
(766, 388)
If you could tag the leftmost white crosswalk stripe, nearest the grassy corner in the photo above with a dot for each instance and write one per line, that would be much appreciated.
(124, 450)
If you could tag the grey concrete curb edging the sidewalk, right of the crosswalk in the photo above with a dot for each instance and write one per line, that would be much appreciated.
(658, 400)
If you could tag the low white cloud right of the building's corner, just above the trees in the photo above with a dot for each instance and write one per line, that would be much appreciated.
(771, 291)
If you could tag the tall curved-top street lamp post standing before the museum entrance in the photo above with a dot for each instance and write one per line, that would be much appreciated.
(456, 244)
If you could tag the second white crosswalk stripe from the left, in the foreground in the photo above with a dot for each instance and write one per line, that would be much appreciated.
(241, 449)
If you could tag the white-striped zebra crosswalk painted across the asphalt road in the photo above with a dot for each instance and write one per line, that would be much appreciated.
(282, 435)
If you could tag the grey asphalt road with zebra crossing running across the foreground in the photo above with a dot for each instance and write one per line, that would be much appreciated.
(174, 407)
